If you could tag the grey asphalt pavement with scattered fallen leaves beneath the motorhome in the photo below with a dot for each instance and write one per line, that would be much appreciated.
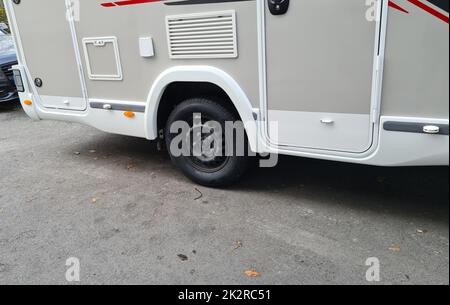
(121, 208)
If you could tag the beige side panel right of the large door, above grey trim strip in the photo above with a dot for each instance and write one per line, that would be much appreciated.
(416, 73)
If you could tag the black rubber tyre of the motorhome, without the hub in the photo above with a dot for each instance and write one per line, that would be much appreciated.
(225, 170)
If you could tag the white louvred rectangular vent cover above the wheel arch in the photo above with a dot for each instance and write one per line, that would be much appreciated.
(204, 35)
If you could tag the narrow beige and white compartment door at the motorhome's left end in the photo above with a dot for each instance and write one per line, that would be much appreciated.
(49, 53)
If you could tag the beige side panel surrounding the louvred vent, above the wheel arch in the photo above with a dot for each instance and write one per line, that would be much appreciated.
(129, 23)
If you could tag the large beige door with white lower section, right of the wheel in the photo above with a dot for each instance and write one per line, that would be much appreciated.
(320, 57)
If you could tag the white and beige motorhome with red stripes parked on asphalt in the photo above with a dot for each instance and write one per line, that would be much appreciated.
(361, 81)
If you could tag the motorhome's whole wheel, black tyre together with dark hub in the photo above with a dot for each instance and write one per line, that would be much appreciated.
(210, 165)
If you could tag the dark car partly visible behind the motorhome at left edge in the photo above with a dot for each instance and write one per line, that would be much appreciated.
(8, 59)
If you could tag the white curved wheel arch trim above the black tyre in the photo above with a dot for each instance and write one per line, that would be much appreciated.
(200, 74)
